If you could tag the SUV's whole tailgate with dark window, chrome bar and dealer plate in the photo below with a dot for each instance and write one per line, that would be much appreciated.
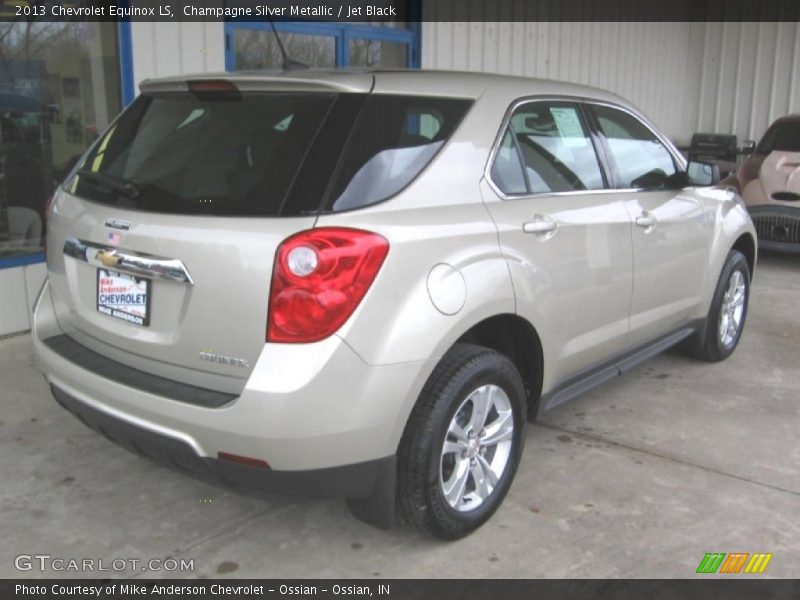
(161, 244)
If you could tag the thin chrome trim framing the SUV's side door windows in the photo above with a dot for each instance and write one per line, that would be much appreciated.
(676, 156)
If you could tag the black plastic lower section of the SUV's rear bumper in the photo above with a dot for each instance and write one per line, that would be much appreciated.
(351, 481)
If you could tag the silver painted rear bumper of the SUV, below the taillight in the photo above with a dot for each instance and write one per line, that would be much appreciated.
(305, 409)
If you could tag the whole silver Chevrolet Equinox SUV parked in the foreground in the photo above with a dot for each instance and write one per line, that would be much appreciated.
(361, 285)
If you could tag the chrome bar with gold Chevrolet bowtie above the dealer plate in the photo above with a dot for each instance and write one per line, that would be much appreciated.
(143, 265)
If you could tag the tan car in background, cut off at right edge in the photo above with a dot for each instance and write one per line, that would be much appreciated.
(769, 182)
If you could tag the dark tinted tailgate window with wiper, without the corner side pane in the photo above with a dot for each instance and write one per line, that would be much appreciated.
(191, 154)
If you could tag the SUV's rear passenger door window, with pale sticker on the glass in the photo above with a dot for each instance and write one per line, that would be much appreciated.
(556, 149)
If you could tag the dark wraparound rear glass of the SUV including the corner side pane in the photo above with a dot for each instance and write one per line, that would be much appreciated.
(270, 154)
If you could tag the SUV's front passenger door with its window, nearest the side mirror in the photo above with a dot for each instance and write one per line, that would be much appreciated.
(670, 233)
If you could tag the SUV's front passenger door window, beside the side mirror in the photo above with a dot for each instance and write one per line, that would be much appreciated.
(641, 159)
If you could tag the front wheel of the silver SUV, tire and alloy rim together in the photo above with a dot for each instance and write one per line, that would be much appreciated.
(726, 317)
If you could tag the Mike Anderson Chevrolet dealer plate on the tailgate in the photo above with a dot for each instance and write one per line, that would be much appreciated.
(124, 296)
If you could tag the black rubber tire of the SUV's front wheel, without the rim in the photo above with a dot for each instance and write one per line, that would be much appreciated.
(708, 344)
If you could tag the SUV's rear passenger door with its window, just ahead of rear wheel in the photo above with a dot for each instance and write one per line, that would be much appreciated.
(567, 239)
